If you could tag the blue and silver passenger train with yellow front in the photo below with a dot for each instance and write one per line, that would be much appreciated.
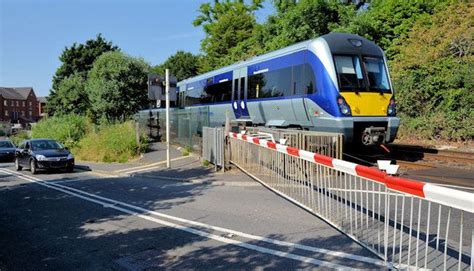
(338, 83)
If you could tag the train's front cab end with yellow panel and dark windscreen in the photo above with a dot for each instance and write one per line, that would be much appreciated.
(365, 100)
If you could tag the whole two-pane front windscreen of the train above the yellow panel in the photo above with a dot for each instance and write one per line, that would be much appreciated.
(353, 75)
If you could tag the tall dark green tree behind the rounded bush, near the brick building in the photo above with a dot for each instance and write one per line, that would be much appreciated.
(76, 60)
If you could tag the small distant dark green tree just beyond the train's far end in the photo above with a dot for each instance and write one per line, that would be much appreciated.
(182, 65)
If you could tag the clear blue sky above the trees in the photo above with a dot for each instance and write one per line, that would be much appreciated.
(33, 33)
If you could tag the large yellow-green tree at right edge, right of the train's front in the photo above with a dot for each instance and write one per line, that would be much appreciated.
(433, 73)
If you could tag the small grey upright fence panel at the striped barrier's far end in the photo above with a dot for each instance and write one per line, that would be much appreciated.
(213, 145)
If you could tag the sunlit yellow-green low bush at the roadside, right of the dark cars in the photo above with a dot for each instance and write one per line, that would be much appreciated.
(112, 143)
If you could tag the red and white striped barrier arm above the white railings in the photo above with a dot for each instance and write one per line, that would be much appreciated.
(442, 195)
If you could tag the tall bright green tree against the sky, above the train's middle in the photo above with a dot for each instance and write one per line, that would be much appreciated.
(226, 24)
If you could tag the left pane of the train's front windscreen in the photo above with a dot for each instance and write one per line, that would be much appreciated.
(349, 73)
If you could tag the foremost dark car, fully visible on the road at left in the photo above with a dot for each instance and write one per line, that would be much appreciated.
(37, 154)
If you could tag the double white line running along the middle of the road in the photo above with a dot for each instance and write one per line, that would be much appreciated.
(110, 203)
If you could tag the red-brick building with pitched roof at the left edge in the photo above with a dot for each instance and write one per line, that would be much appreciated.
(18, 105)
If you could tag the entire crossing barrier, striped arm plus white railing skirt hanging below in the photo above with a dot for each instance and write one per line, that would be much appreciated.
(407, 223)
